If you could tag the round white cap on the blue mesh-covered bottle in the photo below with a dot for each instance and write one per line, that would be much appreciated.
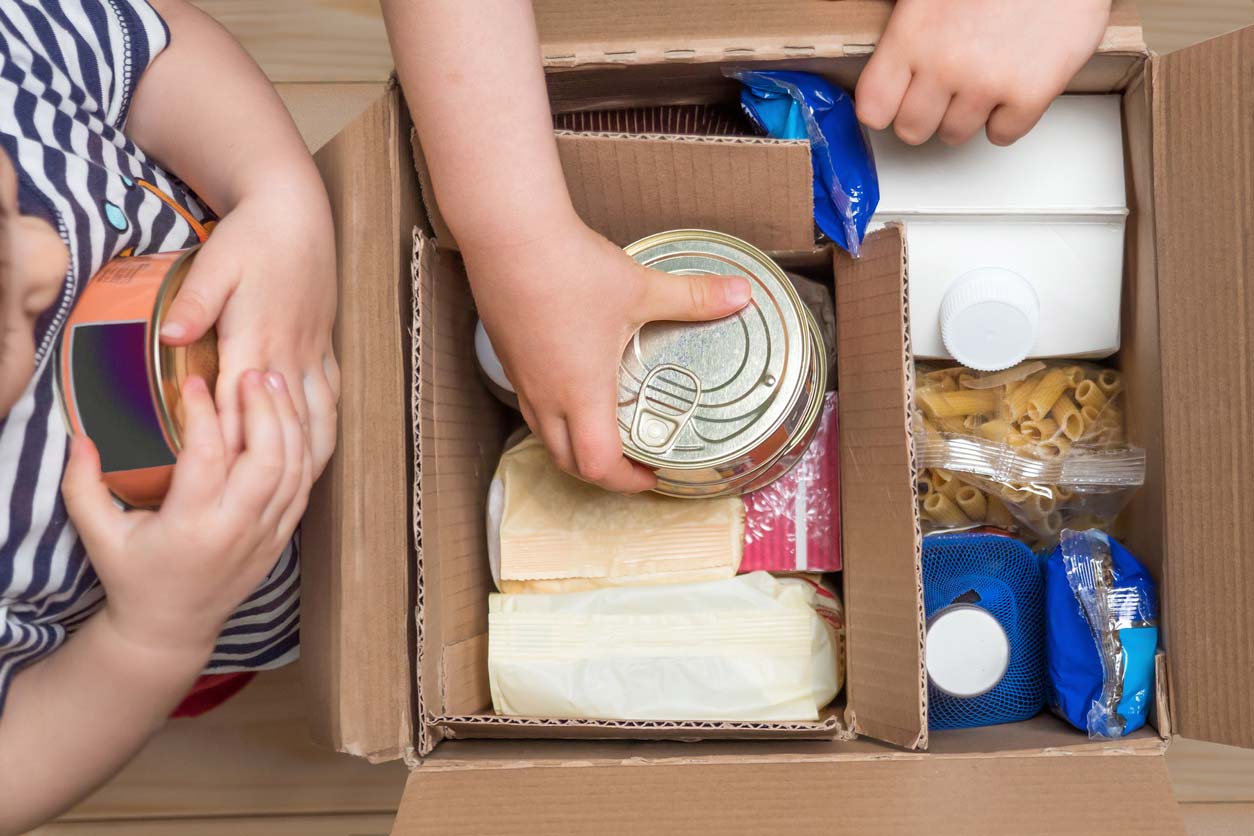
(966, 651)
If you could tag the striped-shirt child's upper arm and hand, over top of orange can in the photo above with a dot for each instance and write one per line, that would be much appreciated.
(266, 276)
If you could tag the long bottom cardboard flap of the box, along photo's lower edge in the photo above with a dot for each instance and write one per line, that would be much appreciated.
(1023, 795)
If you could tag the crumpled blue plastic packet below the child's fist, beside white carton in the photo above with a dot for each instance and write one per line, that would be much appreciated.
(801, 106)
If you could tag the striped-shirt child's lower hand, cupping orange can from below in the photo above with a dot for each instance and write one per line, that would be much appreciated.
(175, 576)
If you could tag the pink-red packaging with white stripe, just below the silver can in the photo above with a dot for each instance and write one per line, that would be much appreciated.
(794, 523)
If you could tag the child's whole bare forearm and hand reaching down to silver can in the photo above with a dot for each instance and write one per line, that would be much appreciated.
(560, 301)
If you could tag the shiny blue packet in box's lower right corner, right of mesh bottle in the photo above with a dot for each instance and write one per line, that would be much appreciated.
(1103, 635)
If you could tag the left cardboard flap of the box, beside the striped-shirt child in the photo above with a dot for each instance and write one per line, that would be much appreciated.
(356, 577)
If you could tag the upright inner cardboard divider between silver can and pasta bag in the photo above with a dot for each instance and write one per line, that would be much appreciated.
(881, 533)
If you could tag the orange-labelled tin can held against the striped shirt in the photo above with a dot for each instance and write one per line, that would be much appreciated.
(116, 380)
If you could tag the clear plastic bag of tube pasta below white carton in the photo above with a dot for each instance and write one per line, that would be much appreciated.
(1033, 449)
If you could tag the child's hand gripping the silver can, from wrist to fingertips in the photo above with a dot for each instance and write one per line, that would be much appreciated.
(560, 313)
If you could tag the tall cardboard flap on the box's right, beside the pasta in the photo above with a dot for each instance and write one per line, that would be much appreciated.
(1204, 206)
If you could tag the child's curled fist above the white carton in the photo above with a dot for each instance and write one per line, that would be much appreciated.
(952, 68)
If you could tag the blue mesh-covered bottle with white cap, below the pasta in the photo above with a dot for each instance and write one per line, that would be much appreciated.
(984, 671)
